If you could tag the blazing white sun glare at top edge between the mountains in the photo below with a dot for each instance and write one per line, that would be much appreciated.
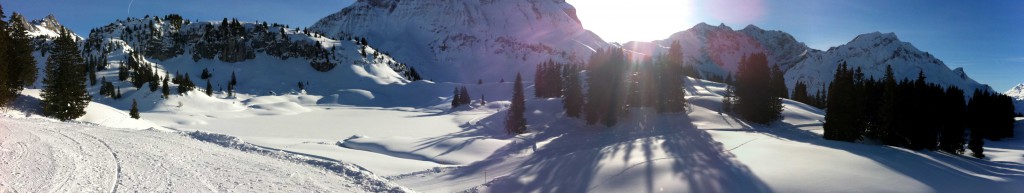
(636, 20)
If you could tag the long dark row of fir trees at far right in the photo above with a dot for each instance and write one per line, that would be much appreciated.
(914, 114)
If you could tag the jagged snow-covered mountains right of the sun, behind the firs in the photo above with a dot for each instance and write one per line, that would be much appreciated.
(718, 51)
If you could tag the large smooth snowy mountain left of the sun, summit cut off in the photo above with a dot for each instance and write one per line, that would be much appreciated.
(466, 41)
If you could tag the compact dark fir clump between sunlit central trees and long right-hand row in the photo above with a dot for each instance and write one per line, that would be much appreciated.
(757, 92)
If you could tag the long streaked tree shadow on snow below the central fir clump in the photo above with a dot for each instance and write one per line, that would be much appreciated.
(668, 147)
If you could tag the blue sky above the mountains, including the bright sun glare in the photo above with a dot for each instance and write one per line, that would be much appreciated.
(987, 38)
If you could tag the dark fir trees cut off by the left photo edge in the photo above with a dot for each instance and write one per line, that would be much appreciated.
(18, 67)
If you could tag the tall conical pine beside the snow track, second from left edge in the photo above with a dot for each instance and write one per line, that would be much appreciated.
(65, 97)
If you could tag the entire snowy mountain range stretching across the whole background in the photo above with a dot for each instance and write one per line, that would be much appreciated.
(466, 42)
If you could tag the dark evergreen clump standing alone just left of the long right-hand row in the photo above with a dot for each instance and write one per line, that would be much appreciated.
(755, 99)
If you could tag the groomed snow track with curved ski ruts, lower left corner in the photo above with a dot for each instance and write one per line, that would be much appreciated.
(39, 156)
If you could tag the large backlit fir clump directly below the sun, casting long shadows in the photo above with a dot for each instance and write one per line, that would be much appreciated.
(616, 85)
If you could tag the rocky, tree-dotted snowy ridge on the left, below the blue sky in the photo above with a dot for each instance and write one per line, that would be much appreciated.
(265, 61)
